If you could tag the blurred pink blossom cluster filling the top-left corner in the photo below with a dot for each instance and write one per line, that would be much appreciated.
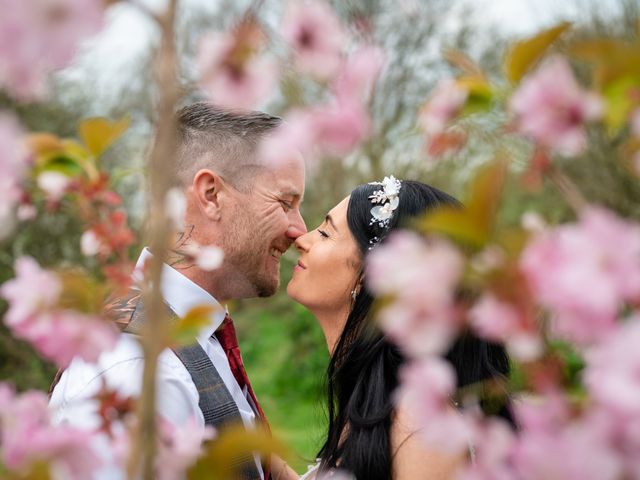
(39, 36)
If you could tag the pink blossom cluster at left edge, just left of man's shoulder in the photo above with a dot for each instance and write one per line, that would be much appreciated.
(57, 334)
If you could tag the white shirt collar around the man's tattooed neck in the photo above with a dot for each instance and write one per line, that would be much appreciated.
(181, 294)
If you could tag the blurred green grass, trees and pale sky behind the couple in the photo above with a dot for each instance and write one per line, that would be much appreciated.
(283, 348)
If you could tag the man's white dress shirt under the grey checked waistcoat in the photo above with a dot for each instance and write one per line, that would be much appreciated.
(122, 368)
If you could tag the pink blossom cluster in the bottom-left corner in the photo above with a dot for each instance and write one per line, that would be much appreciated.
(28, 437)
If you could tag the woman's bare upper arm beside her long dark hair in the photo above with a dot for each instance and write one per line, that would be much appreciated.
(412, 457)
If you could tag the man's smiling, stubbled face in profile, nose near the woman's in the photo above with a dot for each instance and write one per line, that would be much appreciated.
(263, 224)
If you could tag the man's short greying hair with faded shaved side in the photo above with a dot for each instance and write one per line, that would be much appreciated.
(223, 140)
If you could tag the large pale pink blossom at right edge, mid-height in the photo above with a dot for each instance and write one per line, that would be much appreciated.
(583, 273)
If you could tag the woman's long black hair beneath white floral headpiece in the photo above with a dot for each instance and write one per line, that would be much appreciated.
(363, 370)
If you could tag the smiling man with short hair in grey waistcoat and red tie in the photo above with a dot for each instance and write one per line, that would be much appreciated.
(251, 211)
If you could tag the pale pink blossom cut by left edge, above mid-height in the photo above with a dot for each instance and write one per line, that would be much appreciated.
(13, 164)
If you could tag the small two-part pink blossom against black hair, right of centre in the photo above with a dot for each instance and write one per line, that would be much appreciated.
(499, 321)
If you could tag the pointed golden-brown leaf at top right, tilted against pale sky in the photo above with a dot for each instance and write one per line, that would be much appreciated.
(524, 55)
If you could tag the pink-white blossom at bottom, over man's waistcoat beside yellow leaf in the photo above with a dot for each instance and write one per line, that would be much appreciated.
(179, 447)
